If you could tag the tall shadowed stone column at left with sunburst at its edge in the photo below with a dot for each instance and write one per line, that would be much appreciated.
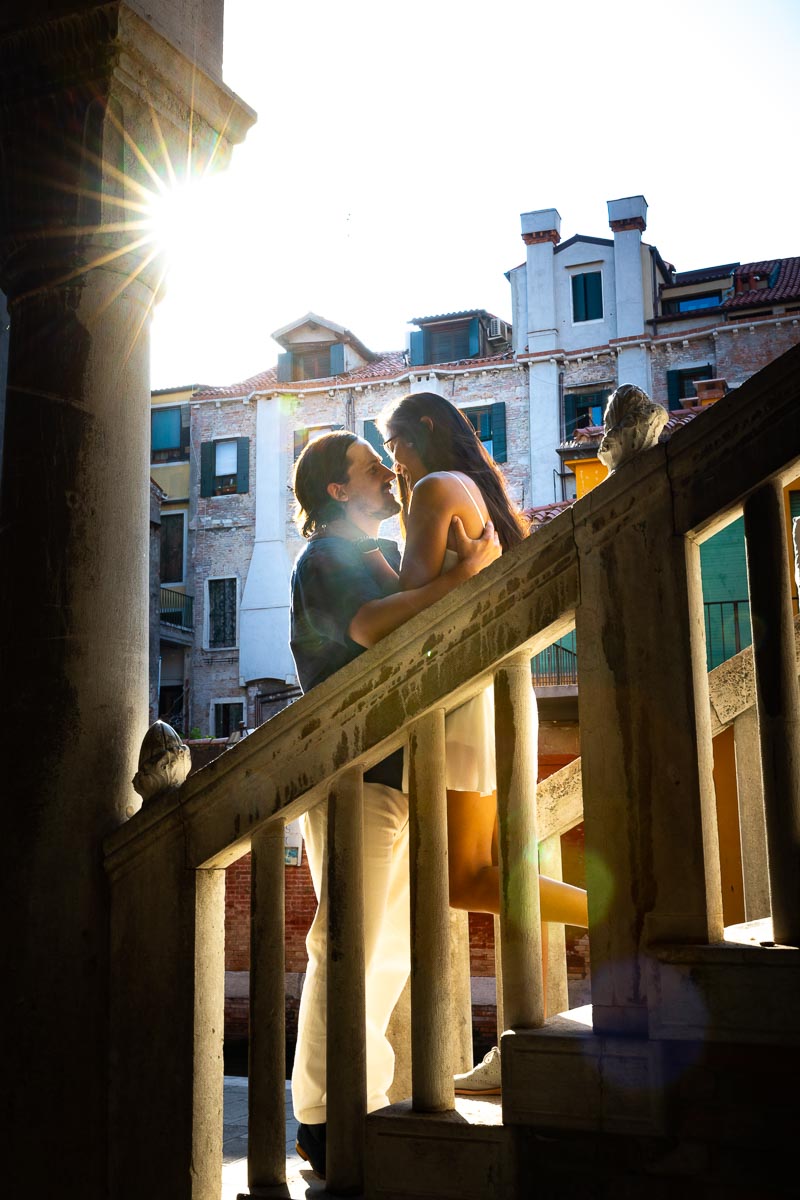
(88, 99)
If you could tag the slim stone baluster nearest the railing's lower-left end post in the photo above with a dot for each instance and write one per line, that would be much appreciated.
(267, 1157)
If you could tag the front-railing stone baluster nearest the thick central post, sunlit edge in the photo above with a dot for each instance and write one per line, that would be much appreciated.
(516, 740)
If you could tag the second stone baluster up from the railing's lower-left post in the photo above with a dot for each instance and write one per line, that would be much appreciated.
(347, 1053)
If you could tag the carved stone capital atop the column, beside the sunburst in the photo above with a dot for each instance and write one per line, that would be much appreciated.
(100, 112)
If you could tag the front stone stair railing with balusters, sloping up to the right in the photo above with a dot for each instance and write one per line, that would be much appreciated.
(623, 568)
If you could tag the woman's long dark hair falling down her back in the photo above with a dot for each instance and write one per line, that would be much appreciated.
(453, 445)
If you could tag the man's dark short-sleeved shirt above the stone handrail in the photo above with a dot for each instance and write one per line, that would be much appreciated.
(330, 583)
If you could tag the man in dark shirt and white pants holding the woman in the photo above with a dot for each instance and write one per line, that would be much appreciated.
(345, 599)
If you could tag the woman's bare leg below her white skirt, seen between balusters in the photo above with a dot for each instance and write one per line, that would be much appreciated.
(476, 879)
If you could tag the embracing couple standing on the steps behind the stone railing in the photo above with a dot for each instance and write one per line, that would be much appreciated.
(350, 590)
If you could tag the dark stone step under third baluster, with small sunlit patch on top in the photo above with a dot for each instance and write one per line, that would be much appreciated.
(464, 1155)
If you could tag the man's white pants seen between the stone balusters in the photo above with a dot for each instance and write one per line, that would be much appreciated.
(387, 950)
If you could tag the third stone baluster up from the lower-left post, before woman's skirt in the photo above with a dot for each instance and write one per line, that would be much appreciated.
(432, 1065)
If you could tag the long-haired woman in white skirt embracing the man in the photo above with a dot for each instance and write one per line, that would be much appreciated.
(444, 472)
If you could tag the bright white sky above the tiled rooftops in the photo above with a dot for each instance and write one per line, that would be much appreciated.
(398, 145)
